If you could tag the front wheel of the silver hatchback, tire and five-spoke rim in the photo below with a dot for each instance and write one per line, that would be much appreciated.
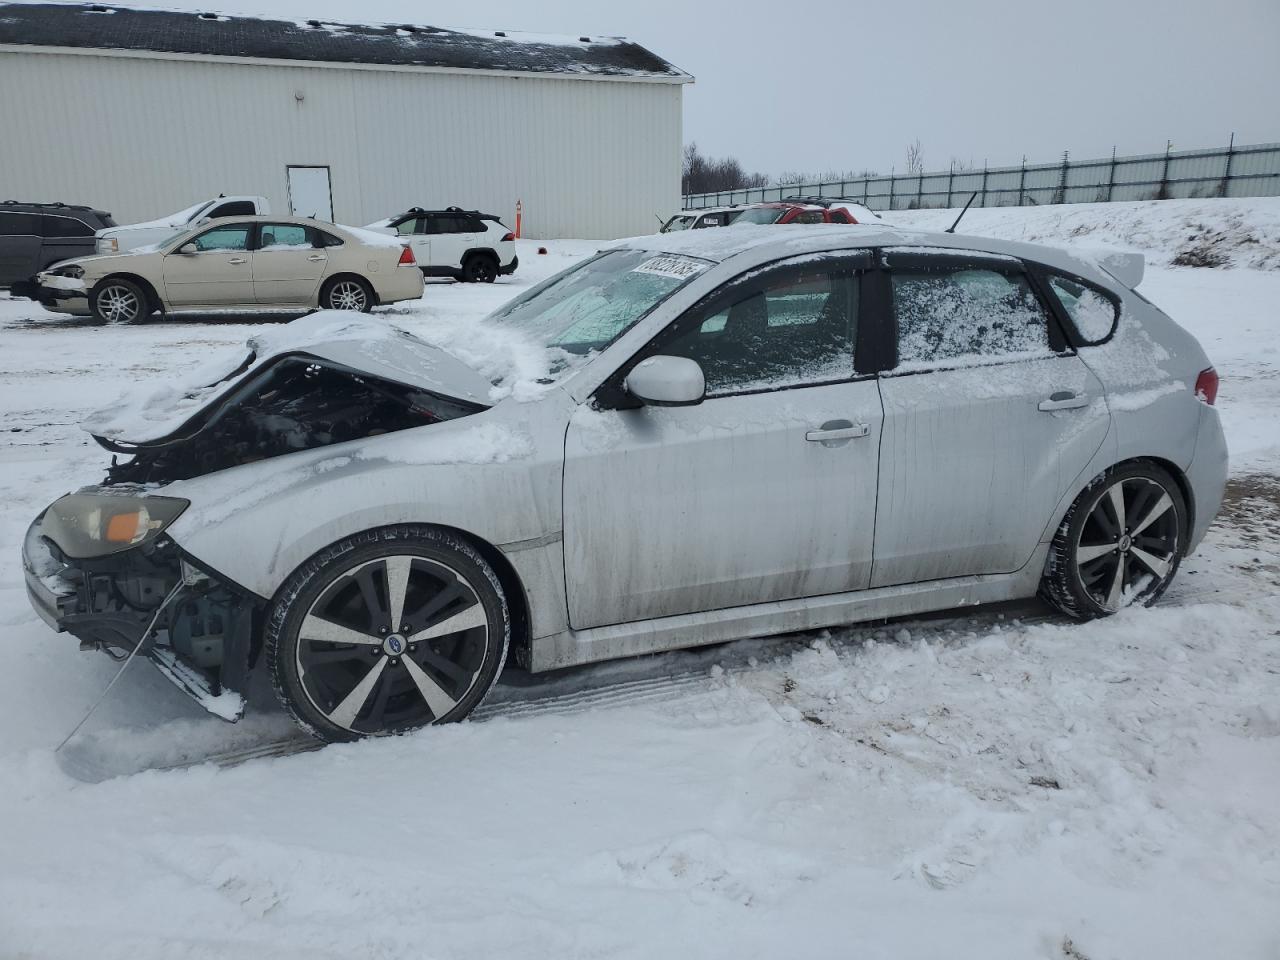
(348, 666)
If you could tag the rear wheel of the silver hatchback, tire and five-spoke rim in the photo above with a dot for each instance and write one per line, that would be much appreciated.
(1099, 566)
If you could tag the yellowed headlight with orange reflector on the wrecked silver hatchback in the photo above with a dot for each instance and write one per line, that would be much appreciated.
(95, 525)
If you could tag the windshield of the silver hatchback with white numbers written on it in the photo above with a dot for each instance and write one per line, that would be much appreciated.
(589, 307)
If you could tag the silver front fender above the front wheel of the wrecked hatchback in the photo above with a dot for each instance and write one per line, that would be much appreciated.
(492, 478)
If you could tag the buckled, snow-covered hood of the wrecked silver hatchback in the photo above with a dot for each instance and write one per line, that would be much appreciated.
(156, 412)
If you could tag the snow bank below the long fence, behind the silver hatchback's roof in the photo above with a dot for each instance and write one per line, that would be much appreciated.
(1171, 232)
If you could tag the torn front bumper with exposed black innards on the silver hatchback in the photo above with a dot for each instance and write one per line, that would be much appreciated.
(196, 629)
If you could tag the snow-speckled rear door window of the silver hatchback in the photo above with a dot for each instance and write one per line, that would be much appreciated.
(959, 316)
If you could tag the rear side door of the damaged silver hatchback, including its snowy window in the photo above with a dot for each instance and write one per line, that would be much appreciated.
(989, 418)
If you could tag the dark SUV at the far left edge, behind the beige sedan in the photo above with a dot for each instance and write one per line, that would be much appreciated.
(34, 236)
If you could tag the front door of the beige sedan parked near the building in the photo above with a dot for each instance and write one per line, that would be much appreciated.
(221, 272)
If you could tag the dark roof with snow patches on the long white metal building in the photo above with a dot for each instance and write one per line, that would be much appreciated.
(121, 29)
